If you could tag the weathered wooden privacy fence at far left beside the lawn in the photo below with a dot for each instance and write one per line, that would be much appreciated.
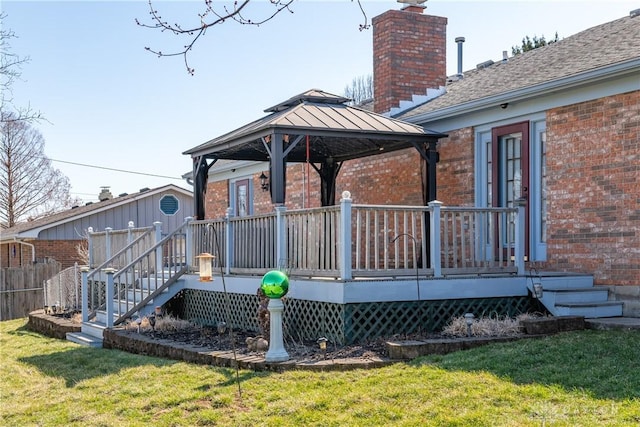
(21, 288)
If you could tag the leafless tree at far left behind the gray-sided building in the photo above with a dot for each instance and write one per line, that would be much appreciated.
(29, 186)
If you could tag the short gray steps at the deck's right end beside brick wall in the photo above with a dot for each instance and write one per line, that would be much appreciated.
(575, 296)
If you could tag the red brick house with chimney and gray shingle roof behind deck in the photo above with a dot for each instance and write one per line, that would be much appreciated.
(558, 126)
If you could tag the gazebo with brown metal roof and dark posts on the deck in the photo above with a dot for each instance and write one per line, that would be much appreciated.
(319, 128)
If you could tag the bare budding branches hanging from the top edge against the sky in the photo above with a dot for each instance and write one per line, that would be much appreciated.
(216, 13)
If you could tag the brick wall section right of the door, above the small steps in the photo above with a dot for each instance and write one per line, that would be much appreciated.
(593, 171)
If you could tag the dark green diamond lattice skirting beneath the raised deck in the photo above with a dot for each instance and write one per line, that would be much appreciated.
(341, 323)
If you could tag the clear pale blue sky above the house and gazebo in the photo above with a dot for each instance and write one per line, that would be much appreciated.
(110, 103)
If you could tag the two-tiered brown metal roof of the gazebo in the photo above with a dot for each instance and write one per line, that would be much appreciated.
(336, 130)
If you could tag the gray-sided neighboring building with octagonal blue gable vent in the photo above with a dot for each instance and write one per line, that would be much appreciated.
(58, 236)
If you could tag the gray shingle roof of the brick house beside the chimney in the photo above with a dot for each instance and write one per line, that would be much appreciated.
(597, 47)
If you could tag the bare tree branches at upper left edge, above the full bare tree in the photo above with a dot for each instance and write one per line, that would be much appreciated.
(10, 71)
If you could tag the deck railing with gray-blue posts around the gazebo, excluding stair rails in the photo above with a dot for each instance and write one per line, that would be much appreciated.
(348, 241)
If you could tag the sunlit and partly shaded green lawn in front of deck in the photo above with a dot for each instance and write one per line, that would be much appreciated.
(581, 378)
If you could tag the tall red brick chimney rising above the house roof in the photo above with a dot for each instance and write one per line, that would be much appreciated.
(409, 55)
